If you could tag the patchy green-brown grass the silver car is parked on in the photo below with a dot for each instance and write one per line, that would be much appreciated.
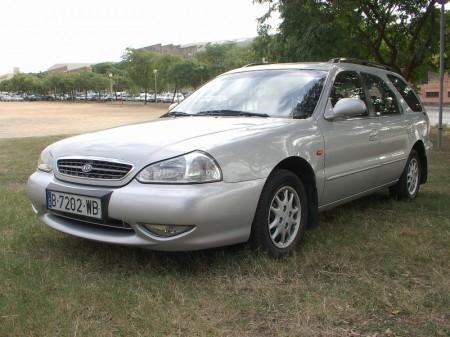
(374, 267)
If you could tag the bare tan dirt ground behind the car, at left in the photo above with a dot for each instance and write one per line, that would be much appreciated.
(30, 119)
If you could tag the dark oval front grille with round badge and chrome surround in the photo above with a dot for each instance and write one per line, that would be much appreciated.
(93, 169)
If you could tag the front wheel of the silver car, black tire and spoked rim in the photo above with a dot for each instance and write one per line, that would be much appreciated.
(280, 218)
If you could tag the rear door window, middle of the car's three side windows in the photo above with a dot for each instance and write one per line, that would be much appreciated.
(381, 96)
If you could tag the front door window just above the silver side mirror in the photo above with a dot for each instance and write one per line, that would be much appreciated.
(346, 85)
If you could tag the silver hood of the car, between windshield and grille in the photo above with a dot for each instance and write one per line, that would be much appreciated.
(144, 143)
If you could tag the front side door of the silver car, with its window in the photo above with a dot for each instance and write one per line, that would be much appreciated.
(351, 145)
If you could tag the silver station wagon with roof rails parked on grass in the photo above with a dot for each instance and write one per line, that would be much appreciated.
(253, 155)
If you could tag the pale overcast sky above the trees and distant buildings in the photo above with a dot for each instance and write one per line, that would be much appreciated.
(35, 34)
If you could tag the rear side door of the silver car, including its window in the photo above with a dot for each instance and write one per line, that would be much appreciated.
(393, 132)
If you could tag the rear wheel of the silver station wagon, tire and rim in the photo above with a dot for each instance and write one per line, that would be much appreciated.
(408, 185)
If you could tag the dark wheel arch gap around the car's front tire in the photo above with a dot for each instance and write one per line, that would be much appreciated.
(302, 169)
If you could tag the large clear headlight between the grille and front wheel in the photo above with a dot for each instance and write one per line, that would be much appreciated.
(194, 167)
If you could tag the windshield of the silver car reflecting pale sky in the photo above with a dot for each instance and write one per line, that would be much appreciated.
(265, 93)
